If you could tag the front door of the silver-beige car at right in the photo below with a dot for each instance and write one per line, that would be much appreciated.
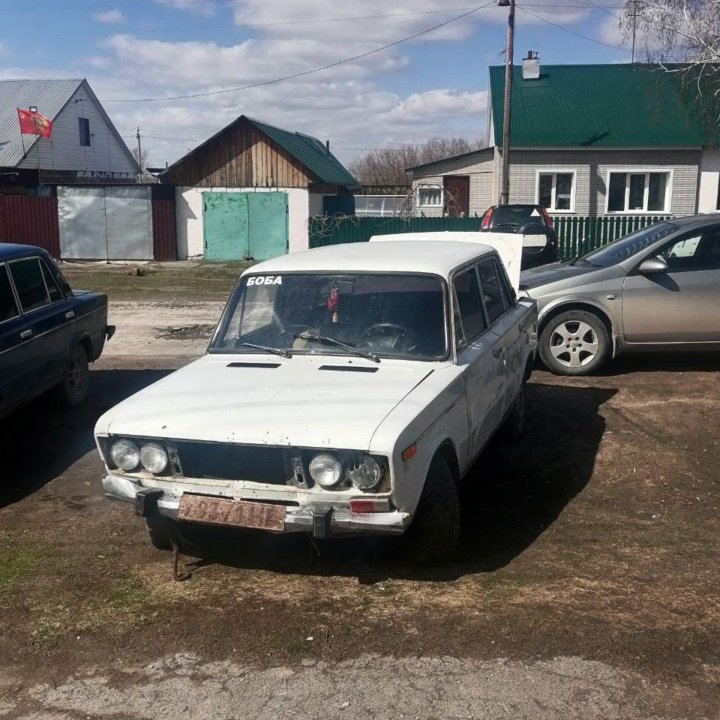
(680, 305)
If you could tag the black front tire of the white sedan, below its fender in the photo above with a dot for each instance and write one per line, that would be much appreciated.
(435, 529)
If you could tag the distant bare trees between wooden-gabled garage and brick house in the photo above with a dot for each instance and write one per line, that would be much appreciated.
(386, 166)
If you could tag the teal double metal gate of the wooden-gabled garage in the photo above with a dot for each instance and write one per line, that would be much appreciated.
(245, 225)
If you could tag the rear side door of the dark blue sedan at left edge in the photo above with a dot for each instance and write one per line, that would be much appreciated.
(49, 314)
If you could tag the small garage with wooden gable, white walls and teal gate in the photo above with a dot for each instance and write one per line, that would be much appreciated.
(249, 190)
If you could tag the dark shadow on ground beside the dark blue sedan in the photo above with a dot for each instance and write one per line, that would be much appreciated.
(42, 439)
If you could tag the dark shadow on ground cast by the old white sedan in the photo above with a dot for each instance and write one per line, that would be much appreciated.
(510, 497)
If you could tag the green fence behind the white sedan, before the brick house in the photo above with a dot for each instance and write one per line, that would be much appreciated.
(576, 235)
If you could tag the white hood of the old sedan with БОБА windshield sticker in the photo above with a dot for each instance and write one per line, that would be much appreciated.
(303, 401)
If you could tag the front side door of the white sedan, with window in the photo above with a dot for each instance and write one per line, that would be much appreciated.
(479, 359)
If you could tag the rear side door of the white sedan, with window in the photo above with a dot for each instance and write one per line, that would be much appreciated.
(499, 305)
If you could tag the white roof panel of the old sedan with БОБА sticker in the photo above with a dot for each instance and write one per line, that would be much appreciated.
(404, 256)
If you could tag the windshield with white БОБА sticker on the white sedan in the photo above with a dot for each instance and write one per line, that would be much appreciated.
(366, 315)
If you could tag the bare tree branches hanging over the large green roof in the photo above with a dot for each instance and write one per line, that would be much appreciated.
(683, 37)
